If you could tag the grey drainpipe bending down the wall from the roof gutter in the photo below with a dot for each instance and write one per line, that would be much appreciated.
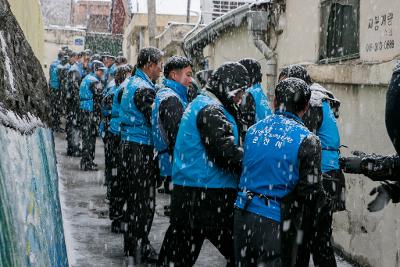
(257, 26)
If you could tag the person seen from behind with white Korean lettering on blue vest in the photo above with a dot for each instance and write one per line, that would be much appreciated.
(280, 179)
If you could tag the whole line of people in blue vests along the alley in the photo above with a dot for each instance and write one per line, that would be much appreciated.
(259, 179)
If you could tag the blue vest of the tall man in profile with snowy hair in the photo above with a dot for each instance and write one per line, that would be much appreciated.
(134, 126)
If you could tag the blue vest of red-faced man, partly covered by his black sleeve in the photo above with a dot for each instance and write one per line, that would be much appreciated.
(179, 91)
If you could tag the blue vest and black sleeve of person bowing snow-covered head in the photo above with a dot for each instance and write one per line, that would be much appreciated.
(206, 152)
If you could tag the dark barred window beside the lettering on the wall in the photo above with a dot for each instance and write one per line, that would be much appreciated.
(339, 30)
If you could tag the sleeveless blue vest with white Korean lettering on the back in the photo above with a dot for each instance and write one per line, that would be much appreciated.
(270, 163)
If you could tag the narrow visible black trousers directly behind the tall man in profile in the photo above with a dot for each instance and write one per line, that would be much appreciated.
(115, 185)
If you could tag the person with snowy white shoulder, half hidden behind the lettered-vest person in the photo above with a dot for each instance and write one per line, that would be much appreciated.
(321, 120)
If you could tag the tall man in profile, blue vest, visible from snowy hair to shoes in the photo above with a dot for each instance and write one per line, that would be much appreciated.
(140, 172)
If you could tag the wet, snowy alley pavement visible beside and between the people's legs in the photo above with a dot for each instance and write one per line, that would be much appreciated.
(85, 215)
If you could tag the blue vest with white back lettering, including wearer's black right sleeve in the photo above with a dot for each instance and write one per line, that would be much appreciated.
(275, 164)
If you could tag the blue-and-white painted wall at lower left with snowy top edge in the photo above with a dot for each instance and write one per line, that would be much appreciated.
(31, 228)
